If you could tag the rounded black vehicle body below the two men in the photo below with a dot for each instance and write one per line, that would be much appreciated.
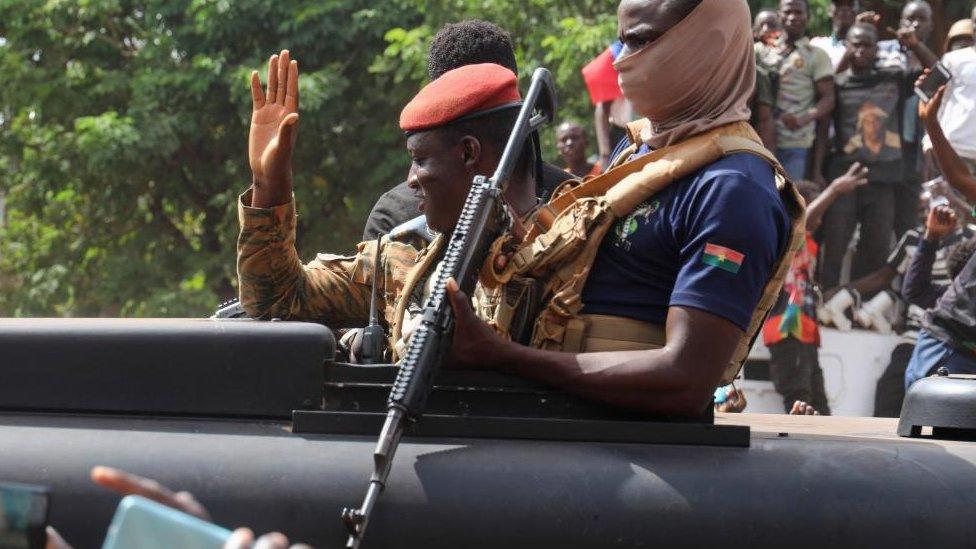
(857, 486)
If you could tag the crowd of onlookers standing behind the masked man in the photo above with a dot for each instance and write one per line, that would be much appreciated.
(888, 231)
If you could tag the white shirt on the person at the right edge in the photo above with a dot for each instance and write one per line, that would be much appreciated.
(958, 113)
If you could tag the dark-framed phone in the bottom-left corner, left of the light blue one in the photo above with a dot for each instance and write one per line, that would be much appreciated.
(23, 516)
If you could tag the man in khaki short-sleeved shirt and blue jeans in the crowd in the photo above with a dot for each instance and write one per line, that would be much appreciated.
(805, 88)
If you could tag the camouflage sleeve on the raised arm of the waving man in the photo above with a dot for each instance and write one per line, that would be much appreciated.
(333, 290)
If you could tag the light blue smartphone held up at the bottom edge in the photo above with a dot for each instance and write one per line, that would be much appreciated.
(140, 523)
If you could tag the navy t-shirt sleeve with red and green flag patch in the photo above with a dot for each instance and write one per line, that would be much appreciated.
(730, 234)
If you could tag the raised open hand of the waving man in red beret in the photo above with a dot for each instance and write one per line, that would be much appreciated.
(274, 127)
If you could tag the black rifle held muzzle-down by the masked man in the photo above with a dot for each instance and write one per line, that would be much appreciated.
(482, 220)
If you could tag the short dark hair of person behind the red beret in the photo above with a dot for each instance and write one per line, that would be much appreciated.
(469, 43)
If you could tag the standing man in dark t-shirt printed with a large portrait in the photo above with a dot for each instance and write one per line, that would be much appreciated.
(866, 131)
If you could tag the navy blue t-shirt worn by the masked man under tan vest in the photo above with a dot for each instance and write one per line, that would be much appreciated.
(708, 241)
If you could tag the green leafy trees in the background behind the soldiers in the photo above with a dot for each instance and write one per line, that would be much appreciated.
(123, 130)
